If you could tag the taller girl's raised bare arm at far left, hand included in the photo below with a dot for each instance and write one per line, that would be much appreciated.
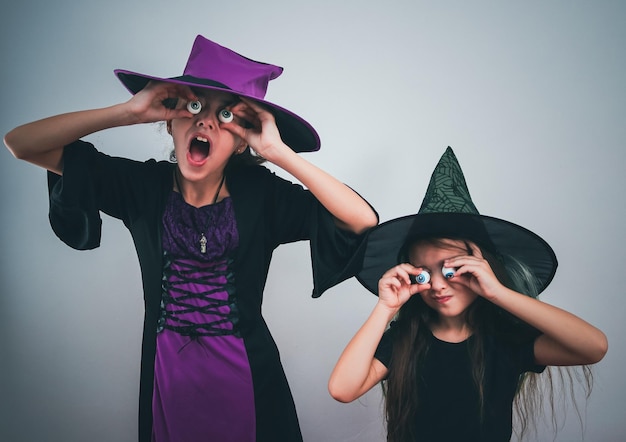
(41, 142)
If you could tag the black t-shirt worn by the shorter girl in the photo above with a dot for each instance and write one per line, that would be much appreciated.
(449, 405)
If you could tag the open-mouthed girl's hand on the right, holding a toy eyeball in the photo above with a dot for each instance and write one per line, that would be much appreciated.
(260, 132)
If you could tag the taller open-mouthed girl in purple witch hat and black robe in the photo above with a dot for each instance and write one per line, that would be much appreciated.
(204, 227)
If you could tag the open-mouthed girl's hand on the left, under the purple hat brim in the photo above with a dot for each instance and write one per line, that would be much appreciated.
(147, 105)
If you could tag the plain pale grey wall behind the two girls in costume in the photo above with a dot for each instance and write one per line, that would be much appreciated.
(529, 94)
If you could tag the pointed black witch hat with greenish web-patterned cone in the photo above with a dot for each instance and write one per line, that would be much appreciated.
(447, 211)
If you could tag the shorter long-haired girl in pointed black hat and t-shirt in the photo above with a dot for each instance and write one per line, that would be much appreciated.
(467, 336)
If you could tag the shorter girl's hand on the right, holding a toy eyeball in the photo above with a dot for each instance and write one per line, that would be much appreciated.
(475, 272)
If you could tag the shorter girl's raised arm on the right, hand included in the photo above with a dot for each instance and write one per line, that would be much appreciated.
(566, 339)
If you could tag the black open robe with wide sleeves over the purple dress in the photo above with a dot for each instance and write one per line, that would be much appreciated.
(269, 211)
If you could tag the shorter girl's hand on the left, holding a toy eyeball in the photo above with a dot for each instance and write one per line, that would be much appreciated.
(395, 288)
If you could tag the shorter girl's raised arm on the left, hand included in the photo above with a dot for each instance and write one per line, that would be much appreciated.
(357, 370)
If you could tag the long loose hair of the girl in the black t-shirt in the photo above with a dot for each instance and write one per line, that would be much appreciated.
(410, 346)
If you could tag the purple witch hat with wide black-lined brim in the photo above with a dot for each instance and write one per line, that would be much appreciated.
(211, 66)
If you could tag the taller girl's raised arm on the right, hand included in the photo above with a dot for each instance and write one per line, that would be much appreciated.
(350, 210)
